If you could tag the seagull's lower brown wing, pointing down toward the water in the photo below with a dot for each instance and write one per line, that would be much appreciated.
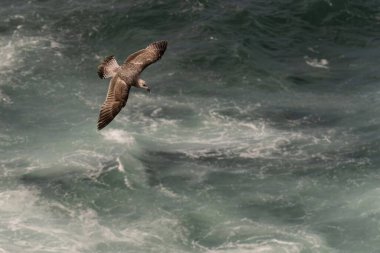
(117, 97)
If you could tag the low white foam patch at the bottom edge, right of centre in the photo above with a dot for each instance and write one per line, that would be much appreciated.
(261, 237)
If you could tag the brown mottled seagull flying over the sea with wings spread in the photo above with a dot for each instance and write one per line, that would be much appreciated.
(124, 77)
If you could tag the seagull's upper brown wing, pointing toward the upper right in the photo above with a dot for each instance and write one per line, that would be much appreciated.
(143, 58)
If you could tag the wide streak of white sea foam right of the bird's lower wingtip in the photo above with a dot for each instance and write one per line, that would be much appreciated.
(219, 135)
